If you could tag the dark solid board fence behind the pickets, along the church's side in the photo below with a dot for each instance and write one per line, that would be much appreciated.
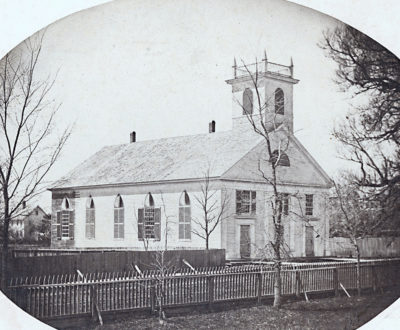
(110, 261)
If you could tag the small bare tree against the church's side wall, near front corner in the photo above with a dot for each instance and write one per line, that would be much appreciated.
(213, 209)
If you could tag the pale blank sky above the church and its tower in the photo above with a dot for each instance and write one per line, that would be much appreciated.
(159, 68)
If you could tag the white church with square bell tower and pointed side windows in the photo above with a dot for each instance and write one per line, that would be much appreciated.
(151, 193)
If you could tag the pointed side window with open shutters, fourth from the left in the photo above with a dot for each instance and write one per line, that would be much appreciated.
(149, 220)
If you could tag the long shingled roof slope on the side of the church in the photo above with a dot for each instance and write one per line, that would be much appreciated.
(176, 158)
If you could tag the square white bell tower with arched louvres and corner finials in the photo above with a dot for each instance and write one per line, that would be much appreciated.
(275, 89)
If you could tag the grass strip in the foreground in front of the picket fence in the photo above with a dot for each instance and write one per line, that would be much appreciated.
(323, 313)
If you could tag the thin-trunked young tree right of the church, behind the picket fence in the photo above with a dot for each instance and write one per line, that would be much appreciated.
(355, 215)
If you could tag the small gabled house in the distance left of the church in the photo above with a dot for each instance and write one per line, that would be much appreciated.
(30, 225)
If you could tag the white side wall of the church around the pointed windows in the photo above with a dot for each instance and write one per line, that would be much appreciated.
(169, 204)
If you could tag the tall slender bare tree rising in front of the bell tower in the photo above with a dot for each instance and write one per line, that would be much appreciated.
(265, 119)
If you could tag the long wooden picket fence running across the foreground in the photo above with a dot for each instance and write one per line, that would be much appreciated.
(49, 298)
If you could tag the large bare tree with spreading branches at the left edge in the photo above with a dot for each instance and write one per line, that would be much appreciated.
(29, 144)
